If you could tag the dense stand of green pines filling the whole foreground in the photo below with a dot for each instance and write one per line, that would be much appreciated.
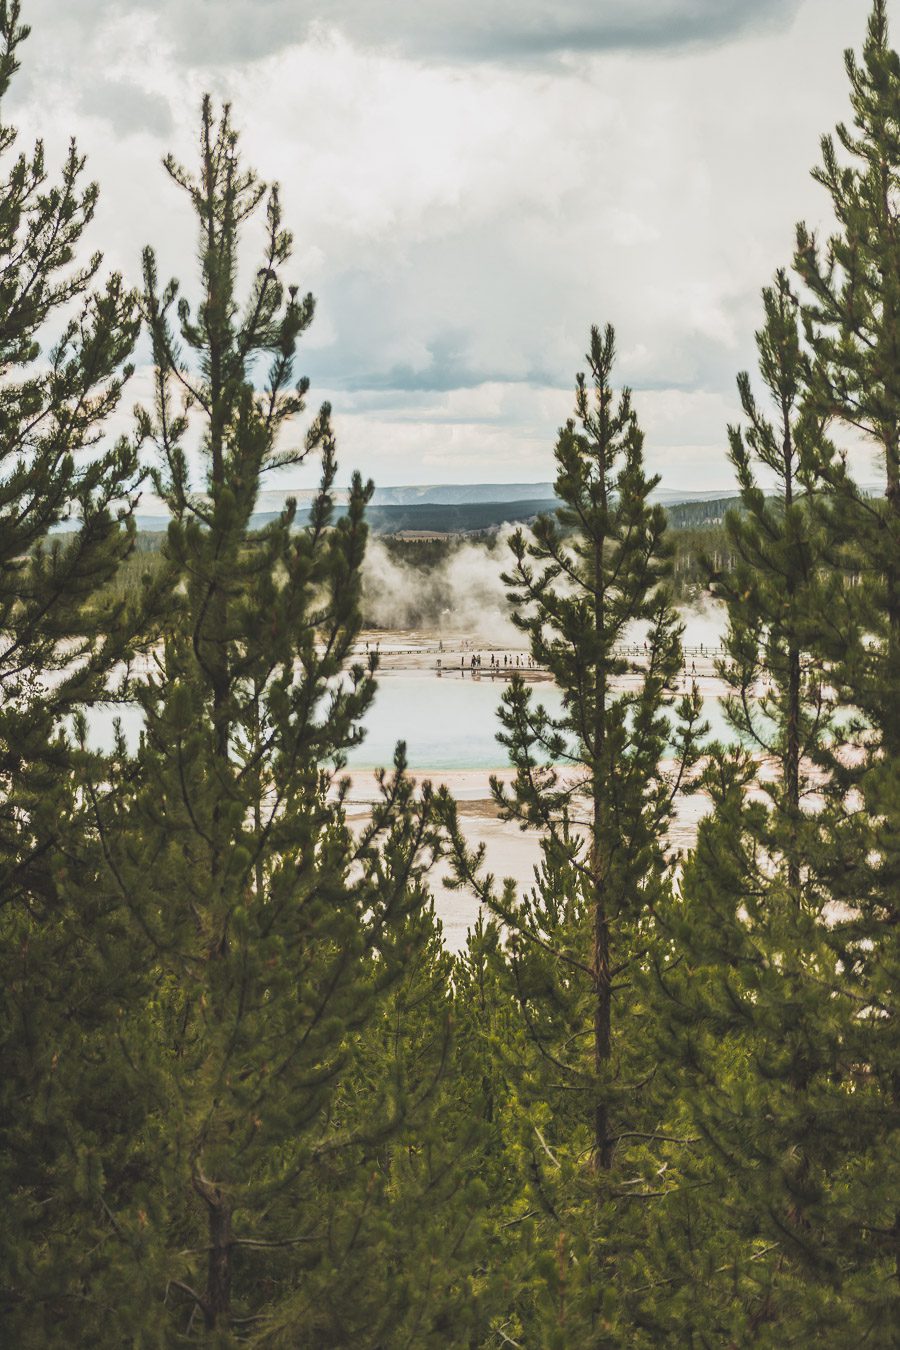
(248, 1096)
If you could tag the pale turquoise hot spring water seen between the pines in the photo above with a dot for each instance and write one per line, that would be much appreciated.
(449, 723)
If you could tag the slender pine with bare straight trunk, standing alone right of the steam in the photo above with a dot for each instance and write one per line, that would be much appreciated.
(580, 589)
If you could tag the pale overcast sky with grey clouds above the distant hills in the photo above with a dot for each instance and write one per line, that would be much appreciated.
(473, 184)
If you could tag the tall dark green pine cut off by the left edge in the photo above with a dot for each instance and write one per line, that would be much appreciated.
(67, 497)
